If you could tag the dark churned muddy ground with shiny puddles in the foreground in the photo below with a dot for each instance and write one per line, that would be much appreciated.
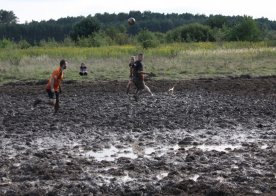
(210, 137)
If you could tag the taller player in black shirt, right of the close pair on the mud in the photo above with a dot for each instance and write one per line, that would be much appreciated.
(138, 77)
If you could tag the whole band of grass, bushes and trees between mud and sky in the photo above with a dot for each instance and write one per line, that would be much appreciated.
(176, 46)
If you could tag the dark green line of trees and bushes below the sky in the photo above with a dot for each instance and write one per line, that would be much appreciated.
(150, 29)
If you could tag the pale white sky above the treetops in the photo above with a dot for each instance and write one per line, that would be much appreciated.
(28, 10)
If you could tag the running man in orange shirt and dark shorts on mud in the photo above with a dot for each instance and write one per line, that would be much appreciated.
(53, 86)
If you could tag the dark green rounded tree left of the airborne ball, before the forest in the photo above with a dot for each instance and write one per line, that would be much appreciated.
(85, 28)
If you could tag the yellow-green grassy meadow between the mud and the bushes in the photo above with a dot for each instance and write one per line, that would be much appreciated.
(175, 61)
